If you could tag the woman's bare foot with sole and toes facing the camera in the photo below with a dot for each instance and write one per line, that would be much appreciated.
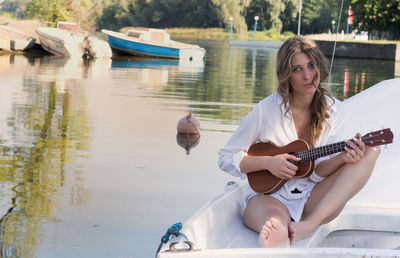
(274, 234)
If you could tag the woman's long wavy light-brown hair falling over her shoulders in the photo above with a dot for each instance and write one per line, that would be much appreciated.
(319, 105)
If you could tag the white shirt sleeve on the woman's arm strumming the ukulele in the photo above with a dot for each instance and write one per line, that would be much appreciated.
(236, 148)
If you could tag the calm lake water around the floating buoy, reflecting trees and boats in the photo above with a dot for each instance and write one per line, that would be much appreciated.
(90, 161)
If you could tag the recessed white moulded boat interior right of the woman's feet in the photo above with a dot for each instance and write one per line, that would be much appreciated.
(358, 228)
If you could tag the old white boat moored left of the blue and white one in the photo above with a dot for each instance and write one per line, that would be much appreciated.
(67, 40)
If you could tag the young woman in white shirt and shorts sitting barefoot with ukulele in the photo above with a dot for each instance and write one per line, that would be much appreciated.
(300, 109)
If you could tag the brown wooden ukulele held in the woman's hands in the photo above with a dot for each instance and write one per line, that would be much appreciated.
(265, 182)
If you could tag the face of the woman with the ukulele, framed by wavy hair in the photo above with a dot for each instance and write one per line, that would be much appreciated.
(303, 73)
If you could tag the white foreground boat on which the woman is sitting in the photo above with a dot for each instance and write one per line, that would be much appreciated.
(369, 225)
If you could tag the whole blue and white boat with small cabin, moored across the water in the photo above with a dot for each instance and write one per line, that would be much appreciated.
(153, 43)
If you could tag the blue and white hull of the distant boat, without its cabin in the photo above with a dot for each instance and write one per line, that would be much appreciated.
(127, 45)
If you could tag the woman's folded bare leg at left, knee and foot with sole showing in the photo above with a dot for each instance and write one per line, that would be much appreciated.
(270, 218)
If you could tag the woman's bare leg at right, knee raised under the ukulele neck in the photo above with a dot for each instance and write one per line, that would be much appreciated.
(329, 197)
